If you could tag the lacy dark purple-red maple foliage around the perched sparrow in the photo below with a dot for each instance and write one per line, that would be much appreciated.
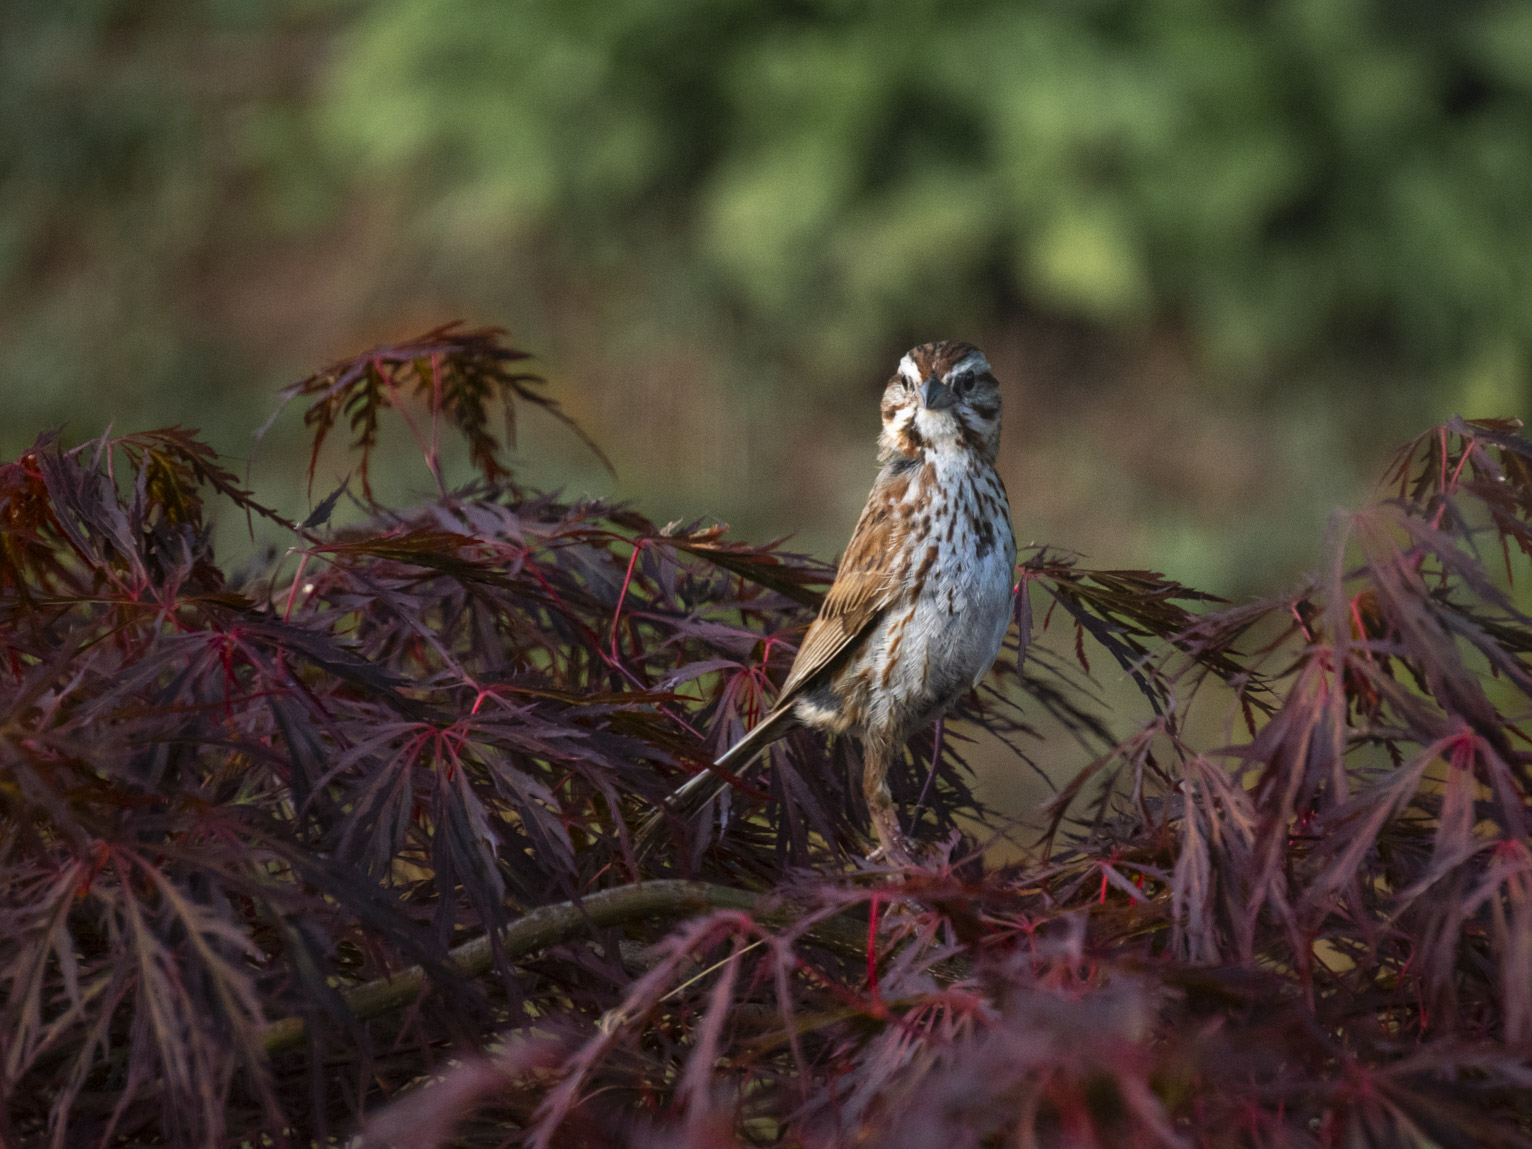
(350, 843)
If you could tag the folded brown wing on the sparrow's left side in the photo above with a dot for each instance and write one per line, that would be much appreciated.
(865, 588)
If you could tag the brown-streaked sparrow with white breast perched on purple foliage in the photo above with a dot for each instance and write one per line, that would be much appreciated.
(923, 595)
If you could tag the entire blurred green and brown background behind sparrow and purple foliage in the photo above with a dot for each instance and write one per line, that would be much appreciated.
(1225, 255)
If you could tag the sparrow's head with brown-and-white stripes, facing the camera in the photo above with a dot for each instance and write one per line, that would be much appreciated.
(943, 398)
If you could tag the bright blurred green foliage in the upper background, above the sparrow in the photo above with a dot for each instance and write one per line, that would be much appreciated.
(1285, 178)
